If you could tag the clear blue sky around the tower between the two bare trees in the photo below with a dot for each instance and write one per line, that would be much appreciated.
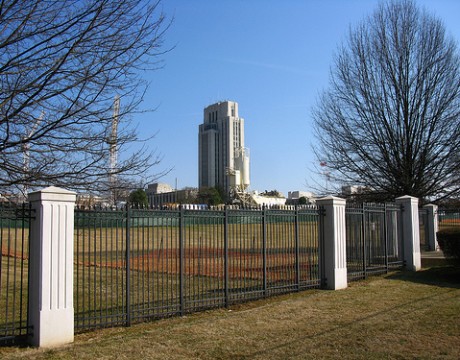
(273, 58)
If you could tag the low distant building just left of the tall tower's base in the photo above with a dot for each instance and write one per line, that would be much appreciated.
(159, 195)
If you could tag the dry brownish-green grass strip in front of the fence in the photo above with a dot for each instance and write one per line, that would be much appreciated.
(402, 315)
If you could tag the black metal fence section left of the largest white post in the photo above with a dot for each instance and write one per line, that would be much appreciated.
(14, 243)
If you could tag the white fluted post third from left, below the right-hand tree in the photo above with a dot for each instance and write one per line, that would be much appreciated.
(411, 232)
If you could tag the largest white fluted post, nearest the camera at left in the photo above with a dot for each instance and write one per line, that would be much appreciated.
(51, 311)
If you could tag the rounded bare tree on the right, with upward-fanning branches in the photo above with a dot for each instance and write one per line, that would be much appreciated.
(390, 119)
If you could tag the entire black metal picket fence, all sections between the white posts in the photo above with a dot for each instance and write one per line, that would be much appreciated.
(132, 265)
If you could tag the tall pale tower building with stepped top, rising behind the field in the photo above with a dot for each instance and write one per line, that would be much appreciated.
(222, 158)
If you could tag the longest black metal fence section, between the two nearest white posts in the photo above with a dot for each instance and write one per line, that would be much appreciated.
(135, 264)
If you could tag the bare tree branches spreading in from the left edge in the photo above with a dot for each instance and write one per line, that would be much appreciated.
(62, 64)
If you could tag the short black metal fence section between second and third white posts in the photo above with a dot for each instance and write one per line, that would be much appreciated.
(374, 239)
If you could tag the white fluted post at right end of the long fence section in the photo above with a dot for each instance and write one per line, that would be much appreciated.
(335, 256)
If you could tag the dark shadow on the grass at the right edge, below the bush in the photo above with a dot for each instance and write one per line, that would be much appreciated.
(445, 274)
